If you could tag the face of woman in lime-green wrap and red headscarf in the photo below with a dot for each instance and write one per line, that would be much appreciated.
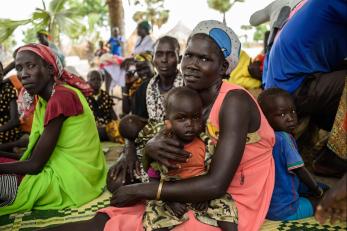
(33, 72)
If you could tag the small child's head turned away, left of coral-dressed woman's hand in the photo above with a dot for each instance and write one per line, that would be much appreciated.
(130, 126)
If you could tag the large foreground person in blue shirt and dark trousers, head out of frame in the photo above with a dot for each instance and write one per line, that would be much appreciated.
(309, 63)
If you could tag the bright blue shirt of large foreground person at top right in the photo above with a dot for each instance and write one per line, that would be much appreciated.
(313, 40)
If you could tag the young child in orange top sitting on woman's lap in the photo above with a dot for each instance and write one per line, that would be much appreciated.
(184, 122)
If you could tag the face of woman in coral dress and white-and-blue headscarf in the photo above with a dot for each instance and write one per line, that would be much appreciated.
(202, 64)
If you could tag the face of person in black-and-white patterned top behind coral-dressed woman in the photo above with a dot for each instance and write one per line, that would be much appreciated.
(165, 59)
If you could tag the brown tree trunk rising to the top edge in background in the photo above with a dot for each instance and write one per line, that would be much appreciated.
(116, 14)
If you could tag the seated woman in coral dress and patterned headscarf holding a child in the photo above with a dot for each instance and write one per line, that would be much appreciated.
(242, 164)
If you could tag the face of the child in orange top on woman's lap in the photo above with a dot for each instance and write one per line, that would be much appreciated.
(185, 118)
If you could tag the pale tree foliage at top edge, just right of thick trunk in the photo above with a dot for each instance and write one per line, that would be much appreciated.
(154, 13)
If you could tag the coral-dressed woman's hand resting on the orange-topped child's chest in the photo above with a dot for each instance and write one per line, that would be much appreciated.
(166, 150)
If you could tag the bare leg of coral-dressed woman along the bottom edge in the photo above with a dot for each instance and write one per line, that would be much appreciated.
(97, 223)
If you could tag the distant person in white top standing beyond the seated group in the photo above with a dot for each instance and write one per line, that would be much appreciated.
(144, 41)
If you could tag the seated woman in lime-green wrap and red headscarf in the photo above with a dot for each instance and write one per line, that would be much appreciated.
(63, 141)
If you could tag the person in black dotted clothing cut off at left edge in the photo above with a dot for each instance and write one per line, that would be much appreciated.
(9, 118)
